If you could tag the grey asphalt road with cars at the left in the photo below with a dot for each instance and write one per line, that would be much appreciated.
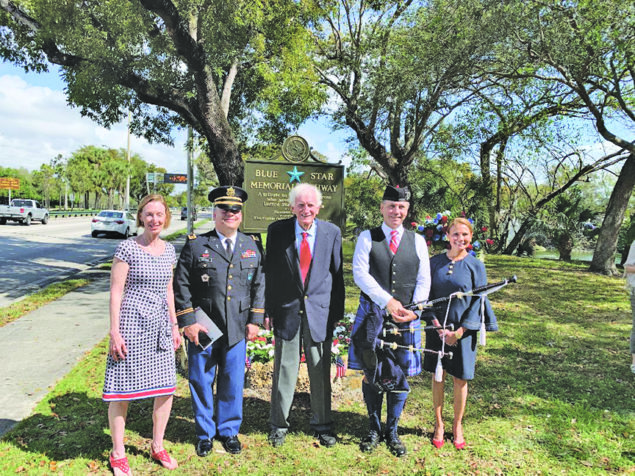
(34, 256)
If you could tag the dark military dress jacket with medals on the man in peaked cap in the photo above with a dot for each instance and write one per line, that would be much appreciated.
(230, 291)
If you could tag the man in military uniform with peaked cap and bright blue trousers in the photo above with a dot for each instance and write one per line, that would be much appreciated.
(220, 272)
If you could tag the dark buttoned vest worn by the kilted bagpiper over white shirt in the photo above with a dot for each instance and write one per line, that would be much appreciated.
(396, 274)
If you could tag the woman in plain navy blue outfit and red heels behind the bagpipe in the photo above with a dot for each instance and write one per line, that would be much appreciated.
(456, 270)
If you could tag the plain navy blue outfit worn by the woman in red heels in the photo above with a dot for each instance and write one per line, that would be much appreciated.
(466, 275)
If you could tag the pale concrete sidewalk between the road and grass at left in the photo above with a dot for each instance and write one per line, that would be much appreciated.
(44, 345)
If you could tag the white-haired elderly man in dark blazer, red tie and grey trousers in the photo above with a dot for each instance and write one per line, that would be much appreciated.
(304, 298)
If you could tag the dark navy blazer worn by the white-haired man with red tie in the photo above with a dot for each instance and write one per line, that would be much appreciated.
(286, 298)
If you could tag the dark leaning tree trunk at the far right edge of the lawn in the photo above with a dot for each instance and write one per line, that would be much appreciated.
(603, 261)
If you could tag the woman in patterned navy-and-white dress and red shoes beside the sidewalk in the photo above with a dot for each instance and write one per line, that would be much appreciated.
(144, 333)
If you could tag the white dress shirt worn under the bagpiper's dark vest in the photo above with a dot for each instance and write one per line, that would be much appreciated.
(368, 284)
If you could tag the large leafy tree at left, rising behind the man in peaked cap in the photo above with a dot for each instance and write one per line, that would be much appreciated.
(222, 67)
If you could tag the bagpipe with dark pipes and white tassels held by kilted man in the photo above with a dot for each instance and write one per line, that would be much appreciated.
(388, 337)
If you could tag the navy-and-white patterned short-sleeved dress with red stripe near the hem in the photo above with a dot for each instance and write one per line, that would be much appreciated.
(144, 322)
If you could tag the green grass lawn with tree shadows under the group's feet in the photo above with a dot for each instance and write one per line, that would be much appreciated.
(553, 394)
